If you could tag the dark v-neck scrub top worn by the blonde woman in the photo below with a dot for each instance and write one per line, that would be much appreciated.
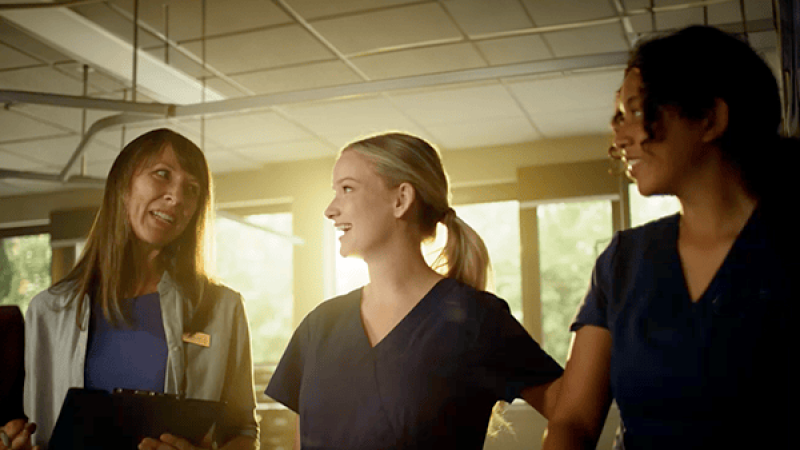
(430, 383)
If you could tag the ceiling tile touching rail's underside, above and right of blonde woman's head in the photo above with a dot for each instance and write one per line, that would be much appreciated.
(472, 103)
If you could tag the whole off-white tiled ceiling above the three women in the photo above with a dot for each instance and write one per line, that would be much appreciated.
(297, 79)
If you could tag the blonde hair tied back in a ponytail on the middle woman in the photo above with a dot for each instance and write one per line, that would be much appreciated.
(402, 158)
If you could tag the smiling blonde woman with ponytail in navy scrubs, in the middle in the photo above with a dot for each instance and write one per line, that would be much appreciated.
(414, 359)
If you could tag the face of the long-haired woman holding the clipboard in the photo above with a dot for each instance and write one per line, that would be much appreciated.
(161, 200)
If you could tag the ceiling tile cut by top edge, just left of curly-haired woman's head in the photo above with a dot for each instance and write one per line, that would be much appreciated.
(552, 12)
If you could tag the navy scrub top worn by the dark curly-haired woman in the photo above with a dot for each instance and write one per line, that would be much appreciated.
(705, 374)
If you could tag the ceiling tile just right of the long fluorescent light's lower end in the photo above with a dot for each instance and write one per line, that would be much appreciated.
(308, 76)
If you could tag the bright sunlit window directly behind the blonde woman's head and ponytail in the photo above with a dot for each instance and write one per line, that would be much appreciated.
(497, 223)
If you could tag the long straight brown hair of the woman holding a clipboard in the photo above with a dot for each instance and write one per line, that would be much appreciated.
(105, 271)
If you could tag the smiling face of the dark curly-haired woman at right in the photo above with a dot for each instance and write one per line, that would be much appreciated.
(662, 165)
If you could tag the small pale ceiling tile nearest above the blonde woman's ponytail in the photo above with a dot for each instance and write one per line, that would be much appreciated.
(483, 133)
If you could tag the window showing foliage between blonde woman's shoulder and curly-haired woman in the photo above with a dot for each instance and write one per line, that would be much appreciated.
(571, 236)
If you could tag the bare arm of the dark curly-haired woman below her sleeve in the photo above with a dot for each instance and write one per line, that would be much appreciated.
(585, 393)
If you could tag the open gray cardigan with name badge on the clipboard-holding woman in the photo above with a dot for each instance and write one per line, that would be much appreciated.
(55, 353)
